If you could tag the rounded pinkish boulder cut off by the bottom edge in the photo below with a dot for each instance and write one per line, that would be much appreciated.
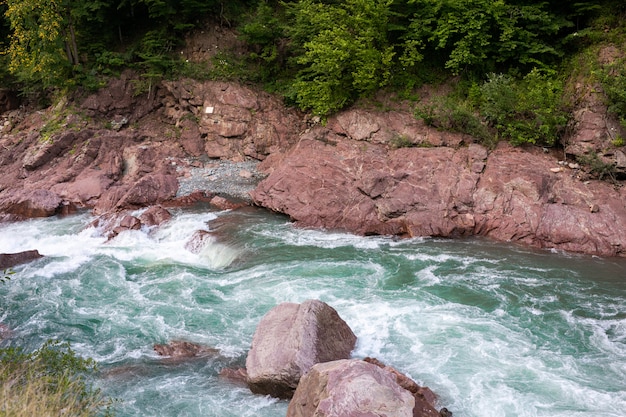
(351, 388)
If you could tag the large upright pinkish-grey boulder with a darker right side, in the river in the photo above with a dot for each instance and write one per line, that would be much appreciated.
(289, 340)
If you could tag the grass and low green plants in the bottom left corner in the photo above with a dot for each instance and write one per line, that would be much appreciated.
(49, 381)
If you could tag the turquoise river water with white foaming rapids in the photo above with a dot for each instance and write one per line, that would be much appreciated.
(494, 330)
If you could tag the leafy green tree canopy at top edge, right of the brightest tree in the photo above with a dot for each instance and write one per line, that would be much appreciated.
(482, 34)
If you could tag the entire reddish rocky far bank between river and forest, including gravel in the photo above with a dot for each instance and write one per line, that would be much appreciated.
(113, 152)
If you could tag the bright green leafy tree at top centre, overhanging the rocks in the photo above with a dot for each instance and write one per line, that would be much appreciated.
(343, 49)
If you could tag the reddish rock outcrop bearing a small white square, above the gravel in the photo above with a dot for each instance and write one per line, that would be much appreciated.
(234, 120)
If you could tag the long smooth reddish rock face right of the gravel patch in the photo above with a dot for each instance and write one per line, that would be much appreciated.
(510, 195)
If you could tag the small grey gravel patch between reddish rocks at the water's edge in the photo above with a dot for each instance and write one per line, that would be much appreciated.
(224, 178)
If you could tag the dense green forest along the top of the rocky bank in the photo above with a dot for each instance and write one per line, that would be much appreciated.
(510, 59)
